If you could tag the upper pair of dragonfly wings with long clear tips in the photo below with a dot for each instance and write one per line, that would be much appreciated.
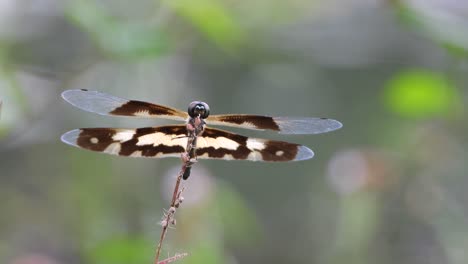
(105, 104)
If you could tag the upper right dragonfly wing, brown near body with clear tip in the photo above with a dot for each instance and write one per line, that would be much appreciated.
(284, 125)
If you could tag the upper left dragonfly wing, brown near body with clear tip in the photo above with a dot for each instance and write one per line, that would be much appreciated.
(105, 104)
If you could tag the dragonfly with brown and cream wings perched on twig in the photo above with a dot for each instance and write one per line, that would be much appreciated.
(171, 140)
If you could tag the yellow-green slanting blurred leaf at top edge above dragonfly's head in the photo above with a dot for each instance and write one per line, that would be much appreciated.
(212, 19)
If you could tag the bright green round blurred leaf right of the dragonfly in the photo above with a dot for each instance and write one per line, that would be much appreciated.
(420, 93)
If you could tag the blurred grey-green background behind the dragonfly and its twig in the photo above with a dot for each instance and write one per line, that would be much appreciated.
(389, 187)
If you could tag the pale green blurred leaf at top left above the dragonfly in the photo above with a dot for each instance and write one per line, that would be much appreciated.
(119, 39)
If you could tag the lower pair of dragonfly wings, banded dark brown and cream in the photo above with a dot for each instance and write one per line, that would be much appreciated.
(170, 141)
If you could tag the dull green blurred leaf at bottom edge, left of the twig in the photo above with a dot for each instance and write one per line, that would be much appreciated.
(123, 251)
